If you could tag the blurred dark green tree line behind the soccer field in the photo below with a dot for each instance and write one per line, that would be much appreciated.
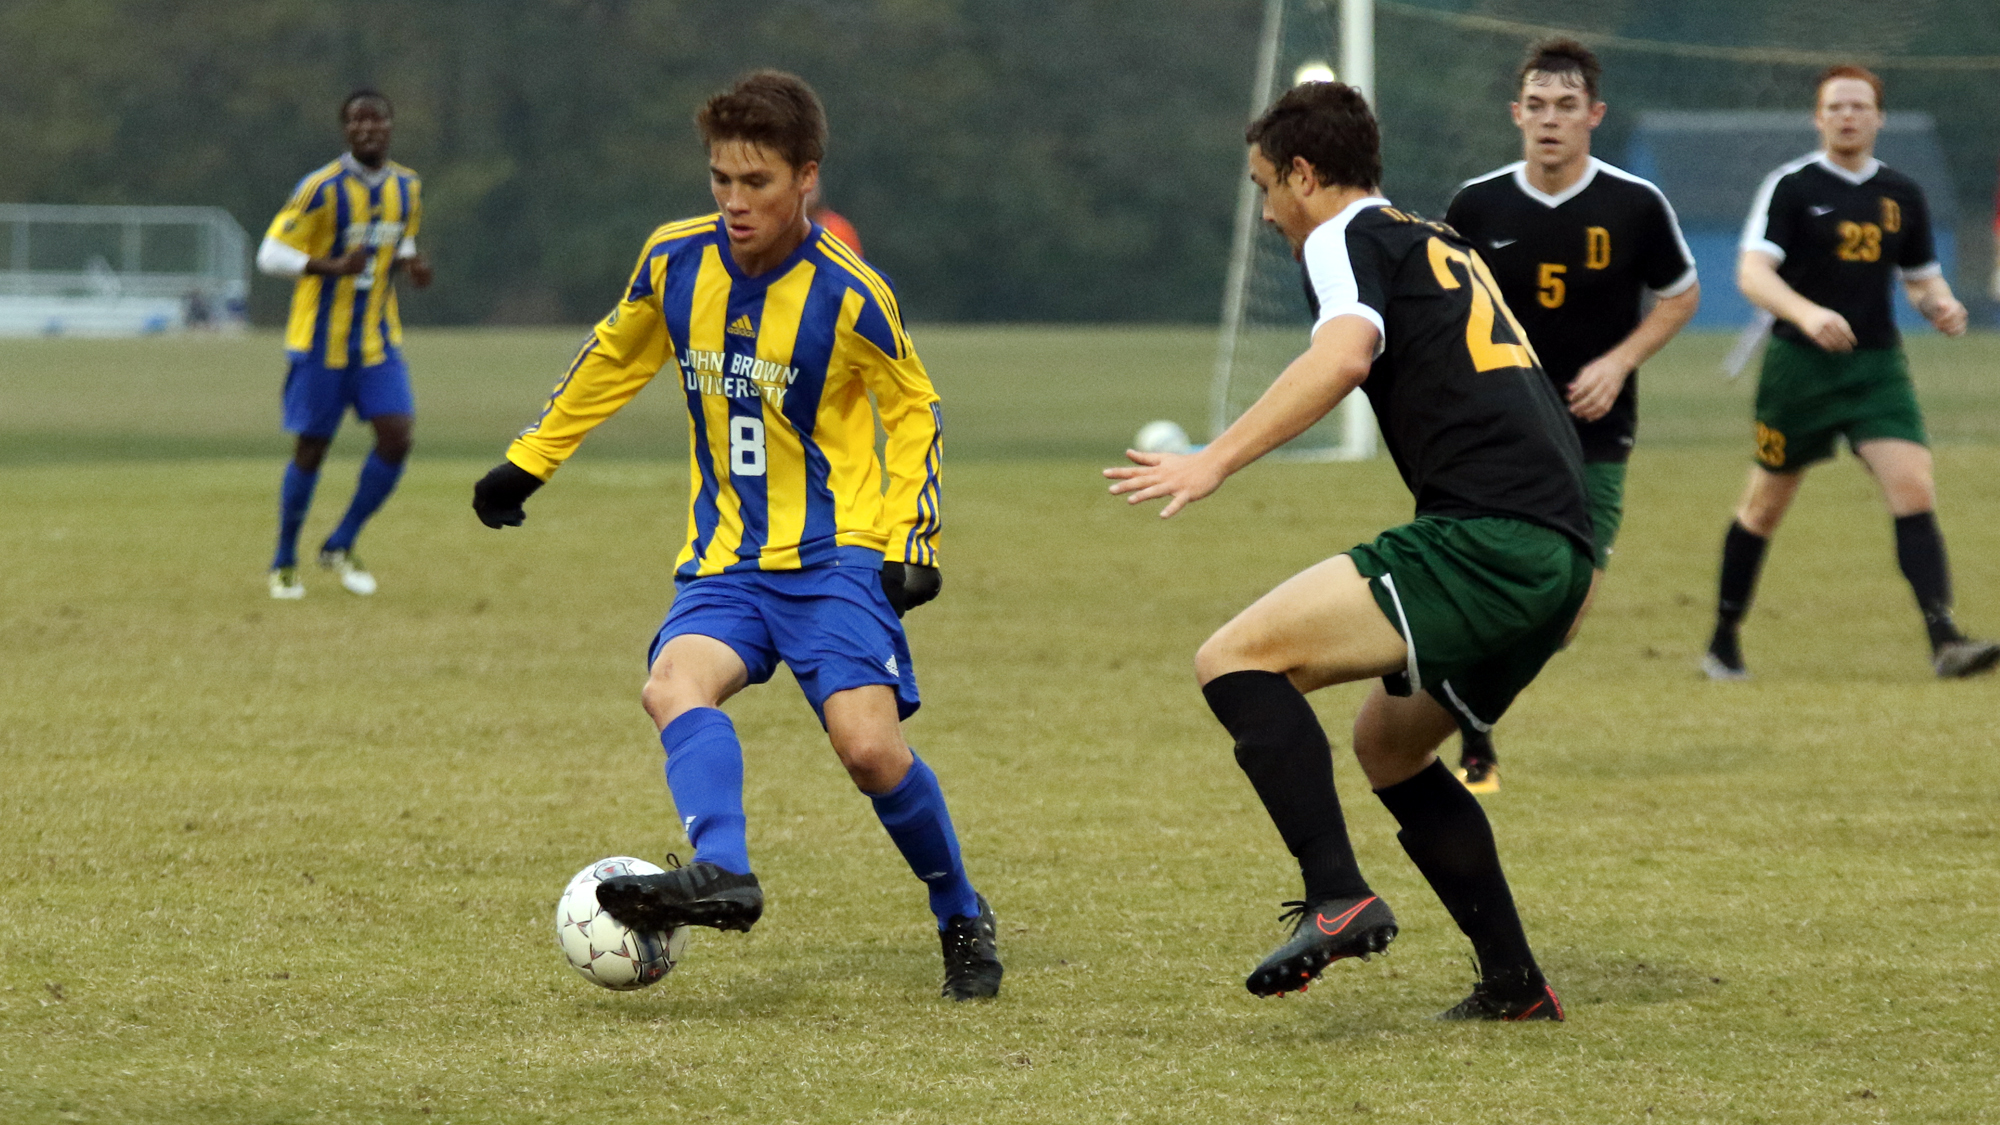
(1003, 159)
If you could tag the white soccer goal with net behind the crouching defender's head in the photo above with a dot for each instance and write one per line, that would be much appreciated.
(1265, 315)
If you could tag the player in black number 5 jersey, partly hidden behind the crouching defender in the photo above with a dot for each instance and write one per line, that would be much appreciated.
(1577, 245)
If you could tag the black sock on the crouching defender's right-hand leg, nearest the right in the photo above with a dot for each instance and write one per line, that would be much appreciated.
(1449, 840)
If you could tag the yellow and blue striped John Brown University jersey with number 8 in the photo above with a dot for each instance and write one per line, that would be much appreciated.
(777, 375)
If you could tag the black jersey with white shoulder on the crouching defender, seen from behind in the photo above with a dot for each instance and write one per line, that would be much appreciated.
(1467, 413)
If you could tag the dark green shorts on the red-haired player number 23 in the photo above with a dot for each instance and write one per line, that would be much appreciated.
(1809, 399)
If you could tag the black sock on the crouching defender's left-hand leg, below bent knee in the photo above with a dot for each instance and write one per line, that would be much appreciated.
(1281, 746)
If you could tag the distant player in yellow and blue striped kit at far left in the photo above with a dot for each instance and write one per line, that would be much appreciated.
(345, 233)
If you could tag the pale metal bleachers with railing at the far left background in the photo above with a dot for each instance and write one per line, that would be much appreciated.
(121, 271)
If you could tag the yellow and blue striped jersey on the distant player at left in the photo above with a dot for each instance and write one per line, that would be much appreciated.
(333, 211)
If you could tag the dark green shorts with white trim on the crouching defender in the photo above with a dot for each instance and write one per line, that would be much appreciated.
(1483, 604)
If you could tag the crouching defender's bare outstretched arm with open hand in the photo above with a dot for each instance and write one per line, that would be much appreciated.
(1313, 385)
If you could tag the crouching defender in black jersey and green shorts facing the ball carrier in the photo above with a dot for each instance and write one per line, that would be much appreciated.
(1455, 614)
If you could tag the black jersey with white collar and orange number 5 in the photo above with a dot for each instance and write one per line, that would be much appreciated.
(1575, 267)
